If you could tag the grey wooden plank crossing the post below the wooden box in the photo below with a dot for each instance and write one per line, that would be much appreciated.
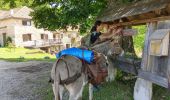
(154, 78)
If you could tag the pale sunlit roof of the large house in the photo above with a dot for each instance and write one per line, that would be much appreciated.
(16, 13)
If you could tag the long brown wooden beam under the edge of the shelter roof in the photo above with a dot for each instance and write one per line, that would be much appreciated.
(139, 22)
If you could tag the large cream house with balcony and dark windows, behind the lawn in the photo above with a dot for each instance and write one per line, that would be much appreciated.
(17, 24)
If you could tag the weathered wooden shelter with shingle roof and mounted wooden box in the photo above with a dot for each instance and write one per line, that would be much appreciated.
(155, 64)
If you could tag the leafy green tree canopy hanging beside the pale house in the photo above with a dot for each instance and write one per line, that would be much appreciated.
(59, 14)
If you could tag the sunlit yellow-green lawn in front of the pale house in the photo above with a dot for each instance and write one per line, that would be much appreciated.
(23, 54)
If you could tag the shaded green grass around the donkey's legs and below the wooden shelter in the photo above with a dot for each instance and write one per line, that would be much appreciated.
(117, 90)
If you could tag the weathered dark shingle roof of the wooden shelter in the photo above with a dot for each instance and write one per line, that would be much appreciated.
(112, 13)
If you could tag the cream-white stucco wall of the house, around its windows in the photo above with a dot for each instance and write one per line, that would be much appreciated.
(15, 30)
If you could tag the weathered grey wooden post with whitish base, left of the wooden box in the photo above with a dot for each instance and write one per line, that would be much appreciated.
(143, 88)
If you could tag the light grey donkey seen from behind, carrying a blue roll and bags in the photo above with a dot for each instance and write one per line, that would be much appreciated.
(69, 73)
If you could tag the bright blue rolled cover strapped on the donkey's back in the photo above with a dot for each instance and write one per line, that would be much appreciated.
(86, 55)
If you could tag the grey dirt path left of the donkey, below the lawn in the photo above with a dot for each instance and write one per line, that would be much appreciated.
(22, 80)
